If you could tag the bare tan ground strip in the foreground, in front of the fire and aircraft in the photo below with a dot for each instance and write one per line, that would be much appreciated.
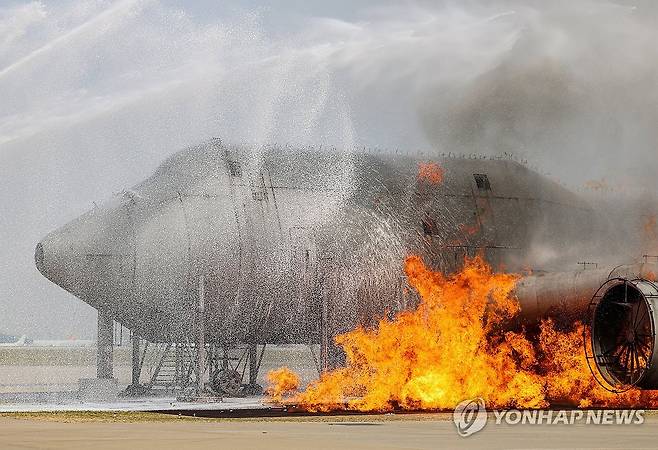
(435, 431)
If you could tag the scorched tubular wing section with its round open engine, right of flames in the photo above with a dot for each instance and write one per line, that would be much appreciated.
(619, 304)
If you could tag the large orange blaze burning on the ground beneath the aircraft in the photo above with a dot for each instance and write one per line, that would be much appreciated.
(454, 346)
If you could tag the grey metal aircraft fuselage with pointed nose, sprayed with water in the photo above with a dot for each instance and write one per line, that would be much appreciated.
(285, 239)
